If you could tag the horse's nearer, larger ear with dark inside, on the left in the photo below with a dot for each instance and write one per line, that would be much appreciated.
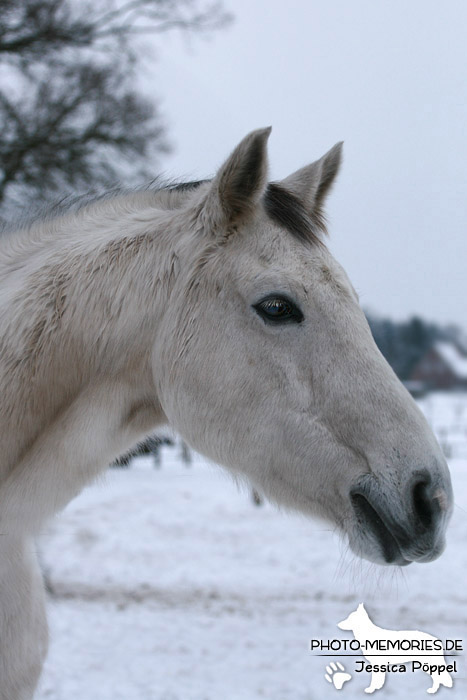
(241, 181)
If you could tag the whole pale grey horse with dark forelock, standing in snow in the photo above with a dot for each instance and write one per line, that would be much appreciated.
(215, 307)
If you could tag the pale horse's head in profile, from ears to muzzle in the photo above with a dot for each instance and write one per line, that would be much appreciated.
(265, 363)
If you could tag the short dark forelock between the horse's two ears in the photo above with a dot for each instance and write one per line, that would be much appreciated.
(285, 209)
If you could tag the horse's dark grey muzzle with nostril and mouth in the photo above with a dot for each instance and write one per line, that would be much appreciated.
(401, 527)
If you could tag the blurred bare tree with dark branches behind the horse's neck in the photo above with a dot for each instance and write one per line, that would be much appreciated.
(70, 115)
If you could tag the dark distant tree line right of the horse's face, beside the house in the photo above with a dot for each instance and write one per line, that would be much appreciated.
(403, 343)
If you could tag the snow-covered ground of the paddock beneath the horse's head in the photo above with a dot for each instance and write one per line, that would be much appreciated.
(170, 584)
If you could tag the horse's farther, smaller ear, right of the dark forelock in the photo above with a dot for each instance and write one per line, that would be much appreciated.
(312, 183)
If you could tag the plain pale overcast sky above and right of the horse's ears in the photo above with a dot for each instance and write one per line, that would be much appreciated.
(387, 77)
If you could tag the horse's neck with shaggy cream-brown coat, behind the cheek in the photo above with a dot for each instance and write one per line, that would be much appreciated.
(84, 300)
